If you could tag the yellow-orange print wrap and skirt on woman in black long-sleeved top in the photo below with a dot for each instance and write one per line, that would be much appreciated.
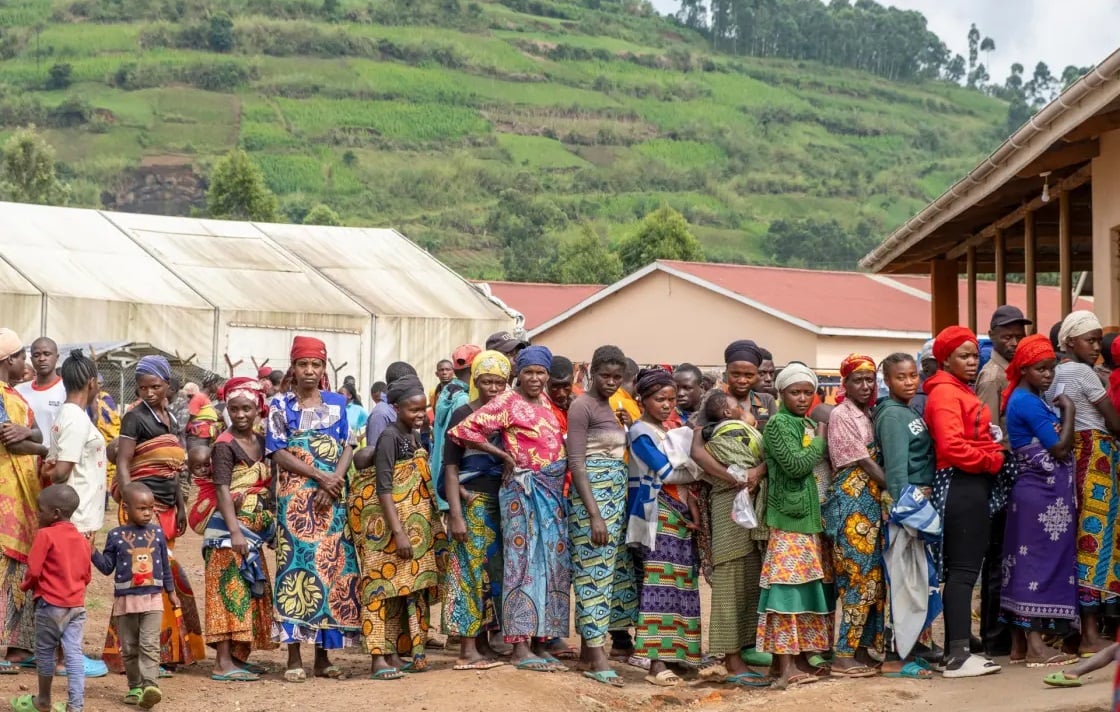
(396, 595)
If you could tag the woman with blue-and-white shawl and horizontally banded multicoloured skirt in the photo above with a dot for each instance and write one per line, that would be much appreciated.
(661, 524)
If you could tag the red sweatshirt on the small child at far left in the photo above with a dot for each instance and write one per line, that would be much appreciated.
(59, 568)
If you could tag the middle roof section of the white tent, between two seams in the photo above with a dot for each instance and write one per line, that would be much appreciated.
(235, 266)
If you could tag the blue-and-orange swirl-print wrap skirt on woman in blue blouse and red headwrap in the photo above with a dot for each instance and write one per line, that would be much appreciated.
(316, 585)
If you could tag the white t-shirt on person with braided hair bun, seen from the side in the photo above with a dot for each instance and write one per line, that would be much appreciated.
(76, 439)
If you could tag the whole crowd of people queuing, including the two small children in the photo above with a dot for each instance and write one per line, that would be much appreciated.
(833, 535)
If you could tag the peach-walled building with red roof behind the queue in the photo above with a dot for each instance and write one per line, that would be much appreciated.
(688, 312)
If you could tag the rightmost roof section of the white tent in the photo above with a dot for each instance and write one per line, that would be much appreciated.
(385, 271)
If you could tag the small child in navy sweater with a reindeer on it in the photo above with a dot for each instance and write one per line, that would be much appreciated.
(137, 554)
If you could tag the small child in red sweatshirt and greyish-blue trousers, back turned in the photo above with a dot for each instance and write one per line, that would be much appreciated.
(58, 574)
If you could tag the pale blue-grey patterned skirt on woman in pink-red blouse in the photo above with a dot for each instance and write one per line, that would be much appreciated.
(537, 582)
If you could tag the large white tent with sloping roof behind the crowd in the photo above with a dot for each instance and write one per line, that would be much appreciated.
(219, 289)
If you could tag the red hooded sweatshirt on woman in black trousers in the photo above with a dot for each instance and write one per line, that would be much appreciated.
(962, 427)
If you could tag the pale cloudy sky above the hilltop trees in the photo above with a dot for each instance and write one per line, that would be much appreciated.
(1057, 32)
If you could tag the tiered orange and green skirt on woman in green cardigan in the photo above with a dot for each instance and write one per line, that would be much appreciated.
(795, 615)
